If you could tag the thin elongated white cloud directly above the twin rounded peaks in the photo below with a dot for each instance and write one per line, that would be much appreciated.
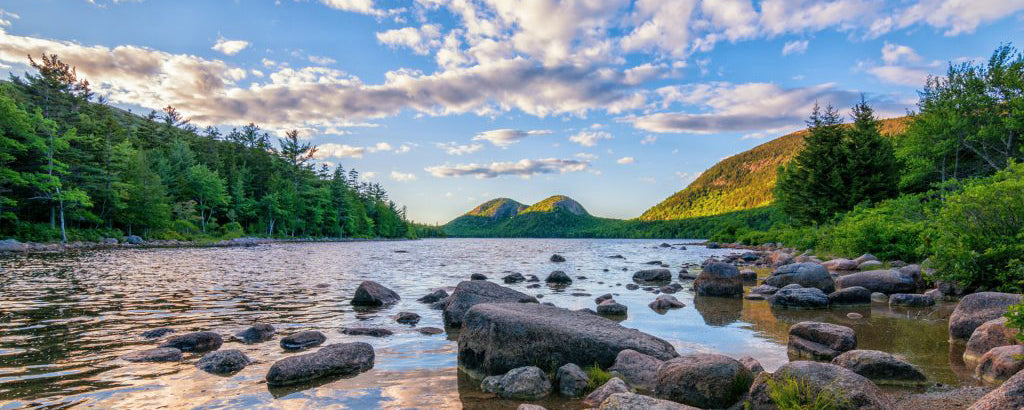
(524, 169)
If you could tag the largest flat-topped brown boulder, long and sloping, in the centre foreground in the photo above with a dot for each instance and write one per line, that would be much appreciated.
(497, 338)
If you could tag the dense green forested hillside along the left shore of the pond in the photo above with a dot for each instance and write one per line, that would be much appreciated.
(75, 169)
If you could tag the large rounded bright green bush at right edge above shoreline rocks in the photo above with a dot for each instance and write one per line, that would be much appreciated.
(979, 233)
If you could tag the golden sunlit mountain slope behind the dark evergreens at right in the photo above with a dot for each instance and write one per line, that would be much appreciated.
(743, 182)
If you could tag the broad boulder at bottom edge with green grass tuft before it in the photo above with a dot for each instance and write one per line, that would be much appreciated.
(854, 390)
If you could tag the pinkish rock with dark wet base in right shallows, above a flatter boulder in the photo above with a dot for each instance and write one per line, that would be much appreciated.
(819, 341)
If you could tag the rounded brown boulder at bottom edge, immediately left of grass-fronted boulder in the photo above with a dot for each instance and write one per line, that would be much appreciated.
(705, 381)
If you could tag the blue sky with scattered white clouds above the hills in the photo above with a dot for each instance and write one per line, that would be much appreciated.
(618, 104)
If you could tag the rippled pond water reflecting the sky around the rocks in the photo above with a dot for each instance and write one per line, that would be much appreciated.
(66, 320)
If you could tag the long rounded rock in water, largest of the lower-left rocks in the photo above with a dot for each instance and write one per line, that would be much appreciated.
(332, 360)
